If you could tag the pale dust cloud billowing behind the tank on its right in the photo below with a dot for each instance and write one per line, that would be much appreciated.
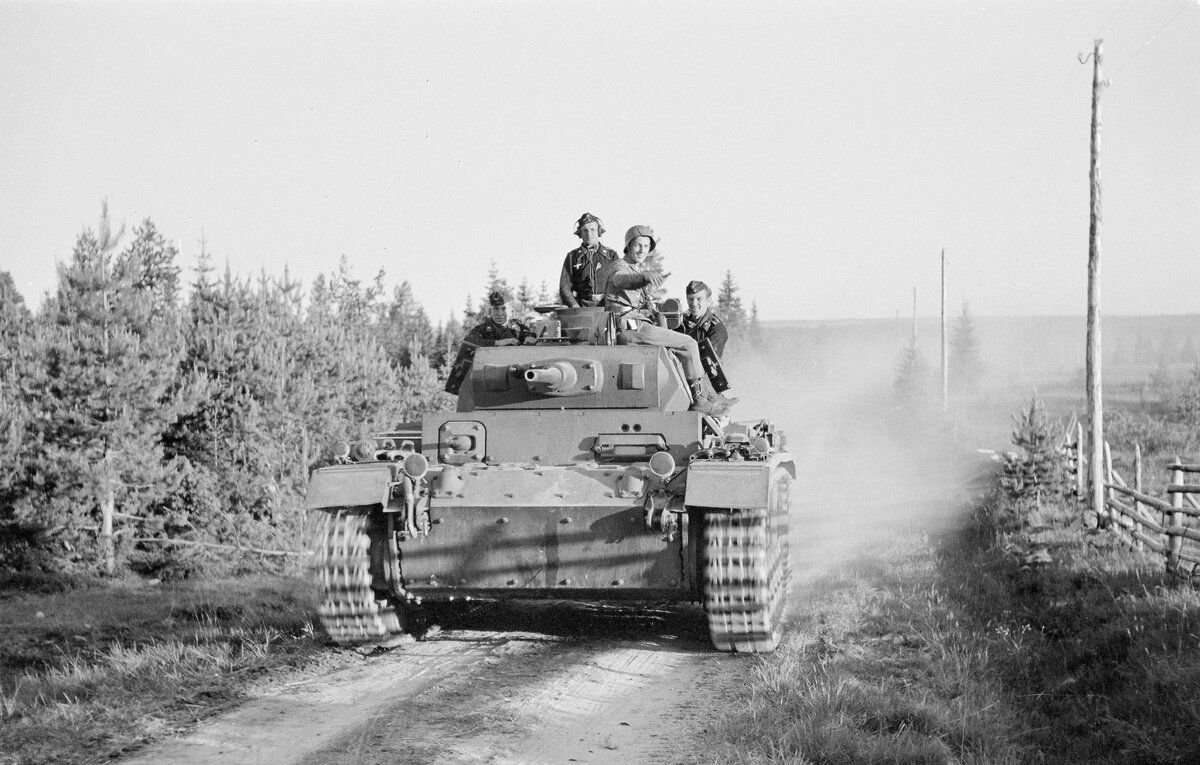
(867, 468)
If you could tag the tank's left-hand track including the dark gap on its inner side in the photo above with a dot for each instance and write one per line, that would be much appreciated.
(359, 579)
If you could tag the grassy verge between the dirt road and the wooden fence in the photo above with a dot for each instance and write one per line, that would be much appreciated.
(1018, 637)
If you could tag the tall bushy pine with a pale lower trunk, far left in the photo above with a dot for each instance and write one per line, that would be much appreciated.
(106, 387)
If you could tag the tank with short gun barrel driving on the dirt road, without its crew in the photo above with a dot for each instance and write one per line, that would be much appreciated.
(572, 469)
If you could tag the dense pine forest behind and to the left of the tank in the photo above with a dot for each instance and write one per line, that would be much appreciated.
(148, 423)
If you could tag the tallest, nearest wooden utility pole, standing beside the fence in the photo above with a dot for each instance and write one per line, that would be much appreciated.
(1095, 400)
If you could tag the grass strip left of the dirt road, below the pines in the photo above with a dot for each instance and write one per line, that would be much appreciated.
(91, 674)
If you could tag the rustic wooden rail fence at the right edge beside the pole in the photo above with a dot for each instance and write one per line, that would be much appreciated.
(1168, 525)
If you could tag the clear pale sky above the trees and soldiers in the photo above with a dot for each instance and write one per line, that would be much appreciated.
(825, 153)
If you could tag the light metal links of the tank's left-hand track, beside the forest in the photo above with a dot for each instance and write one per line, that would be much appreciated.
(350, 611)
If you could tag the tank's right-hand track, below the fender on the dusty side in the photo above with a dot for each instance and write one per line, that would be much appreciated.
(747, 573)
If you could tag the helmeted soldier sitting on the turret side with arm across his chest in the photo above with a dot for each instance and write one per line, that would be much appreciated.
(628, 298)
